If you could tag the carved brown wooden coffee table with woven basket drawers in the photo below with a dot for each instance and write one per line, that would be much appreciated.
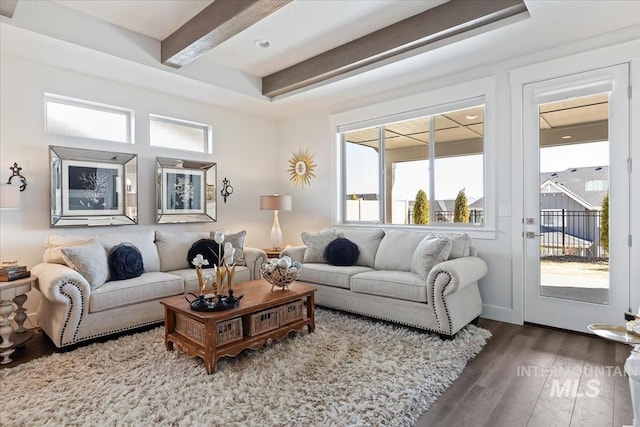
(261, 317)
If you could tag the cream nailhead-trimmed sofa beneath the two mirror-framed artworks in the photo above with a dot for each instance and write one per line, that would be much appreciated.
(75, 309)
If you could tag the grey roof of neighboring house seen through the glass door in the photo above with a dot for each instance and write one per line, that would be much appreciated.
(587, 185)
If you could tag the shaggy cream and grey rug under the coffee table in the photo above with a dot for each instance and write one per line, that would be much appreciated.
(350, 372)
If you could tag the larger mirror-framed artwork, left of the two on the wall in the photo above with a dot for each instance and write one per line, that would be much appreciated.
(92, 188)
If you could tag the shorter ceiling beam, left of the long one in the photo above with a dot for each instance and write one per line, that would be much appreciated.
(216, 23)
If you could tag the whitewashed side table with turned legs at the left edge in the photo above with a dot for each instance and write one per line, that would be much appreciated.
(13, 292)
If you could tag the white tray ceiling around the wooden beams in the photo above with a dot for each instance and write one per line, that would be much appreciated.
(120, 39)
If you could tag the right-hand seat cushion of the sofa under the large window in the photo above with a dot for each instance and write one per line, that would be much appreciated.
(394, 284)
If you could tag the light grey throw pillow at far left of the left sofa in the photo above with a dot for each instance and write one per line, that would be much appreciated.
(90, 261)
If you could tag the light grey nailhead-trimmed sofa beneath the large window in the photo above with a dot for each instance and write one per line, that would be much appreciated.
(386, 281)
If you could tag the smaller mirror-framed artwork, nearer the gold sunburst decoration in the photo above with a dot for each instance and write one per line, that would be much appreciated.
(185, 191)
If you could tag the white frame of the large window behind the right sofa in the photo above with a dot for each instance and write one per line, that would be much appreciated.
(425, 103)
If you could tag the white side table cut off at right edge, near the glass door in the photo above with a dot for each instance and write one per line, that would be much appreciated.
(631, 366)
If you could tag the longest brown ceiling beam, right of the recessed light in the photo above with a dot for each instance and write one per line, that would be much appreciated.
(446, 20)
